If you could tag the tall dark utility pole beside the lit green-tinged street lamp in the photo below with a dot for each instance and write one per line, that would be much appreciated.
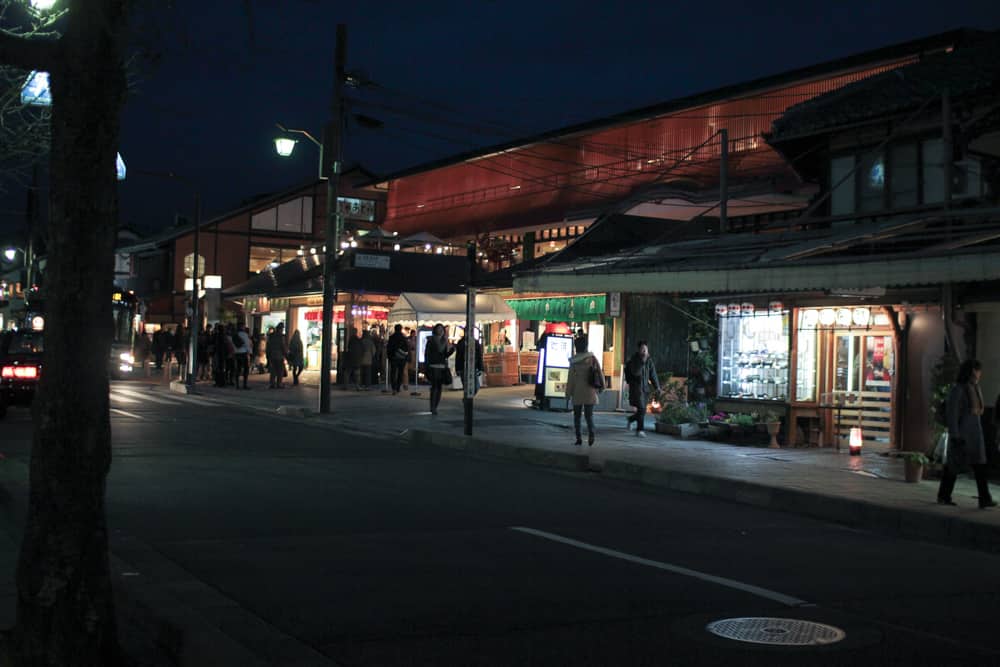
(331, 160)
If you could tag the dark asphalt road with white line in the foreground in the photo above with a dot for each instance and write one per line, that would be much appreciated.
(378, 553)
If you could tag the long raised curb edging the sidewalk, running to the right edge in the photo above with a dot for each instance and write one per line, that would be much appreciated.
(908, 523)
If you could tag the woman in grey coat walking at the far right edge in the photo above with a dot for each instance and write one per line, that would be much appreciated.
(966, 444)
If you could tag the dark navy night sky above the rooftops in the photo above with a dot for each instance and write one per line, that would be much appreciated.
(449, 76)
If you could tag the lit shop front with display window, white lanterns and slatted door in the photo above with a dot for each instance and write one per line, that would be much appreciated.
(827, 371)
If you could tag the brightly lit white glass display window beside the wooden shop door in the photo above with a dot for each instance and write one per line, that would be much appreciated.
(753, 356)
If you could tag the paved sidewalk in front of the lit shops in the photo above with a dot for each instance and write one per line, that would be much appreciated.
(864, 491)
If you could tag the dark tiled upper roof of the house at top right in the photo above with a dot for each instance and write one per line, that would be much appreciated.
(970, 70)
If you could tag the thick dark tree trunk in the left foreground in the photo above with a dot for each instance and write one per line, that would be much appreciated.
(65, 611)
